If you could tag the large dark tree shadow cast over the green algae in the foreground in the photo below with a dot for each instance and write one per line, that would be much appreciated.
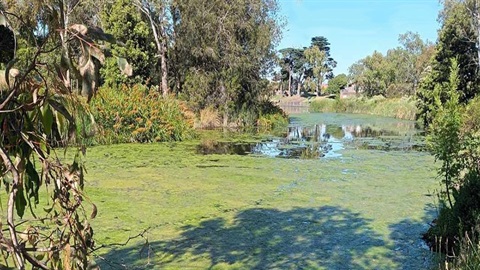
(302, 238)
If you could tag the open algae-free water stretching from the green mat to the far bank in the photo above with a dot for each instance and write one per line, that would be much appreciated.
(325, 135)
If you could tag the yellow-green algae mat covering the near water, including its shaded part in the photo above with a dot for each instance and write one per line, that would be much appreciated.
(366, 210)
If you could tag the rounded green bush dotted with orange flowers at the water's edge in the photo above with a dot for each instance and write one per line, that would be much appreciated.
(139, 114)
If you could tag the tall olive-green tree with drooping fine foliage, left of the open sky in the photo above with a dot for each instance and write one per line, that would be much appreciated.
(221, 50)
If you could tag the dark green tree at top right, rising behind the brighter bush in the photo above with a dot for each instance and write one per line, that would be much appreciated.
(457, 39)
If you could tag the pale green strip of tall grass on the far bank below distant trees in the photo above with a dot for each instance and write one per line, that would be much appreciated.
(402, 108)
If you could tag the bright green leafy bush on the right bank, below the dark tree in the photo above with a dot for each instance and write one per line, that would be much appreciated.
(455, 141)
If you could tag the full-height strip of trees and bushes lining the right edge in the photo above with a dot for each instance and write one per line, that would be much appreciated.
(449, 108)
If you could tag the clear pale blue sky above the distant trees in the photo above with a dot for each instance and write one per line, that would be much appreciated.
(355, 28)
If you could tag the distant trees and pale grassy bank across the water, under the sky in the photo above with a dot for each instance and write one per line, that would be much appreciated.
(384, 85)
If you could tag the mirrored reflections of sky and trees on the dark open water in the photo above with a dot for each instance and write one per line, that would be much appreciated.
(325, 140)
